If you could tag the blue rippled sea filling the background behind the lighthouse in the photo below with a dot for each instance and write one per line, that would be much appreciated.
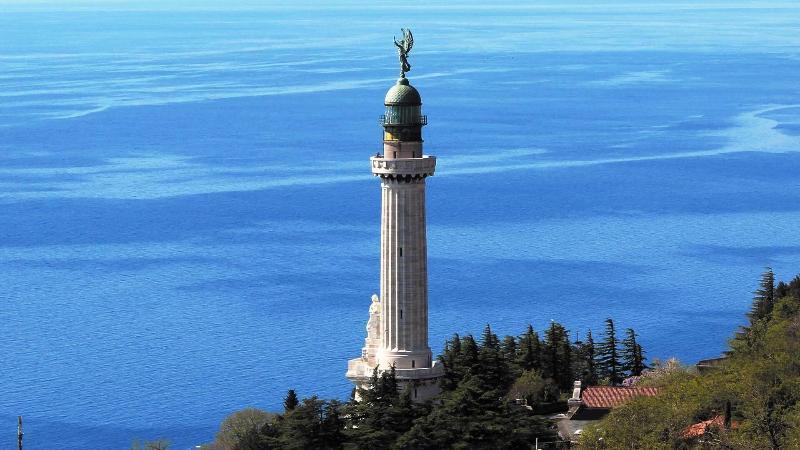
(188, 225)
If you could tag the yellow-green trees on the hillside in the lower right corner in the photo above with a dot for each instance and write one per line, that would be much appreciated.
(758, 384)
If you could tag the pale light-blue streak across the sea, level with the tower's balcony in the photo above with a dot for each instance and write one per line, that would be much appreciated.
(161, 176)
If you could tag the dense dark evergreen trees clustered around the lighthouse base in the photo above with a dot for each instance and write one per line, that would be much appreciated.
(477, 408)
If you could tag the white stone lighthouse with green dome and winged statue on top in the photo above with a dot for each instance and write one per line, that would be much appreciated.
(397, 330)
